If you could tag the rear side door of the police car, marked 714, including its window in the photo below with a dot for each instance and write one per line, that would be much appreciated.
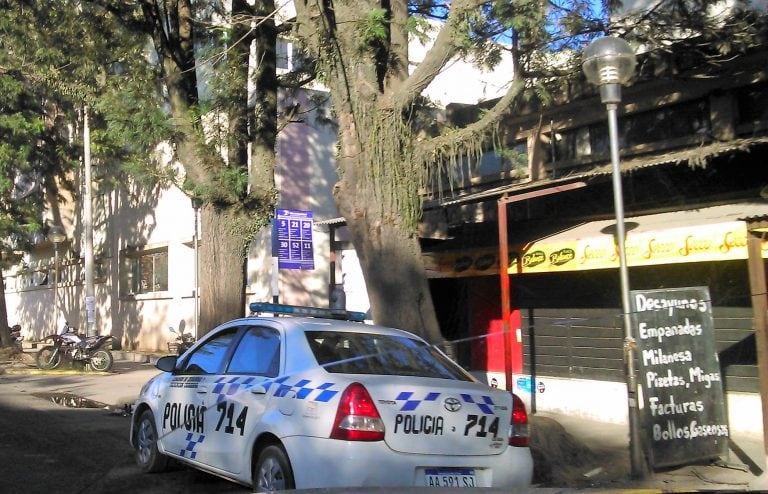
(239, 398)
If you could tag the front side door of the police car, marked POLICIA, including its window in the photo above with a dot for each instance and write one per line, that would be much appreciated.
(184, 408)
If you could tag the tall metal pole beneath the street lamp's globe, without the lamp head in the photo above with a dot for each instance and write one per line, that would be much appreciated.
(635, 450)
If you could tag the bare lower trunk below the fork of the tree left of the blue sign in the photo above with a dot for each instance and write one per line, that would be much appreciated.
(222, 268)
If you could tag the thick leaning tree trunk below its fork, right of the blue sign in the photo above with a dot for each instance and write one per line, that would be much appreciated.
(387, 246)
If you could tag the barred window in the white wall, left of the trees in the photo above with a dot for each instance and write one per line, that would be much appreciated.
(145, 271)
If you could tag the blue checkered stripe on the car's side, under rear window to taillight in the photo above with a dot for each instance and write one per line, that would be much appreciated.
(304, 389)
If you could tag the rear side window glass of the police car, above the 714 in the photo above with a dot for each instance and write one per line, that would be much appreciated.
(257, 353)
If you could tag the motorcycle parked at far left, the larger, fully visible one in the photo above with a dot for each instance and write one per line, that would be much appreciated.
(67, 344)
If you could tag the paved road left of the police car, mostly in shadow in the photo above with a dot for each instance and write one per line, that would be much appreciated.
(46, 447)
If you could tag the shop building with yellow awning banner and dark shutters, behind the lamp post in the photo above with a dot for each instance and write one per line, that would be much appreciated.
(693, 162)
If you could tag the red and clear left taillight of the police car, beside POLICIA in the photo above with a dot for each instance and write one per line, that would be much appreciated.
(357, 418)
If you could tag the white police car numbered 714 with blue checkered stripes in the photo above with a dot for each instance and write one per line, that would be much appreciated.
(301, 402)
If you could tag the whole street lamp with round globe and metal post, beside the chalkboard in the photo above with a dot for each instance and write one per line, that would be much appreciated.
(608, 63)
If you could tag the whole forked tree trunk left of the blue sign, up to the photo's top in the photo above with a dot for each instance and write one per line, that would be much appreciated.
(231, 215)
